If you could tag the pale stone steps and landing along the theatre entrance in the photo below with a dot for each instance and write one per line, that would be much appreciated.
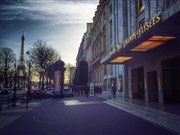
(165, 115)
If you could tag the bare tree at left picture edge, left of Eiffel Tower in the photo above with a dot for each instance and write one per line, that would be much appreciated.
(7, 59)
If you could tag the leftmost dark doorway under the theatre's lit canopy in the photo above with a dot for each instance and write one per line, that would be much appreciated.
(138, 83)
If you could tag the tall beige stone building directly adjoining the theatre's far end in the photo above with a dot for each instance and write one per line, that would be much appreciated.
(99, 45)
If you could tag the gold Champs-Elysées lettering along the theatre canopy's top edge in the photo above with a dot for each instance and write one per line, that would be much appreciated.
(138, 33)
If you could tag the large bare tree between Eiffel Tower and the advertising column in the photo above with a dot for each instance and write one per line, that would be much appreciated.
(42, 56)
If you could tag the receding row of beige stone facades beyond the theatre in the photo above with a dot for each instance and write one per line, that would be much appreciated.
(94, 46)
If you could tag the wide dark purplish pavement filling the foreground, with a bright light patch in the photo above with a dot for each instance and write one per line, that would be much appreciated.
(80, 116)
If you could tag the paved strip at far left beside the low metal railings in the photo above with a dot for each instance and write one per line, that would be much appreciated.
(8, 115)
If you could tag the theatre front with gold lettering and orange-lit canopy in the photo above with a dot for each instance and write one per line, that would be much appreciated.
(147, 45)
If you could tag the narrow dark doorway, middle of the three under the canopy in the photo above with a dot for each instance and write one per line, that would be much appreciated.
(152, 86)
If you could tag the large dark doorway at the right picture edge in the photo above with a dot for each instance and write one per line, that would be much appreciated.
(171, 80)
